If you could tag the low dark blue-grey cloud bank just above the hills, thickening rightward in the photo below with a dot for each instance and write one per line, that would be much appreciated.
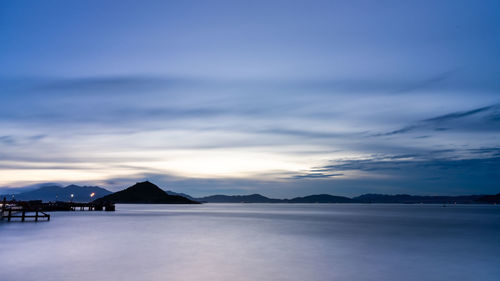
(414, 174)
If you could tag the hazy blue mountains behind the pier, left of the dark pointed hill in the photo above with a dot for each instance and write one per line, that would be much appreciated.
(58, 193)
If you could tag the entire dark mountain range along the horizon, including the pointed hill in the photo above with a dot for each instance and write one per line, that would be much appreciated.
(147, 192)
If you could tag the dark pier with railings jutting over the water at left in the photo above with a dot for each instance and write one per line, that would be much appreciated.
(36, 210)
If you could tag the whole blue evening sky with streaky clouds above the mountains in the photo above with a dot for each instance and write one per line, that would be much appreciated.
(282, 98)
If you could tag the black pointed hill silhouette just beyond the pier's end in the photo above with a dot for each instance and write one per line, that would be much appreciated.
(144, 193)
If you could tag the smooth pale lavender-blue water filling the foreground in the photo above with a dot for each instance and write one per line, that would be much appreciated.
(257, 242)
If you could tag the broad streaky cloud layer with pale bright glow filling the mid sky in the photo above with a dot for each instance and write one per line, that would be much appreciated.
(110, 126)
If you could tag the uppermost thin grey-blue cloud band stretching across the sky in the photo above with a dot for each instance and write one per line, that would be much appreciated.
(140, 84)
